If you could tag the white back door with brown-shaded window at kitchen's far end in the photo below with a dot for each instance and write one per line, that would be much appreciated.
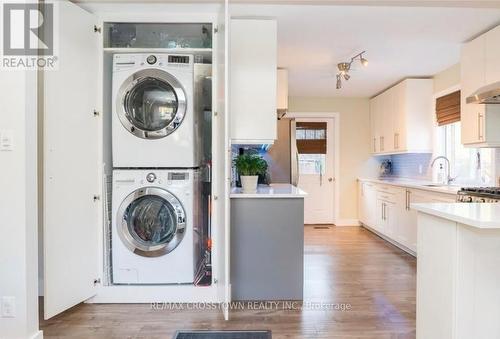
(317, 170)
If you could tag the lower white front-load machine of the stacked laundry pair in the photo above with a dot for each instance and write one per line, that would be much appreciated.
(155, 214)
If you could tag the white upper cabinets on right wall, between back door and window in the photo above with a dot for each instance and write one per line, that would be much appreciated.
(401, 118)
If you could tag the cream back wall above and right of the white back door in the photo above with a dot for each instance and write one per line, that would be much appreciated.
(355, 159)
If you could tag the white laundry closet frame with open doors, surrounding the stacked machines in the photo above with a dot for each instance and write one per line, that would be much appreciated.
(73, 180)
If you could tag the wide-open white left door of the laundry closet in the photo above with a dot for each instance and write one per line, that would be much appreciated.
(71, 164)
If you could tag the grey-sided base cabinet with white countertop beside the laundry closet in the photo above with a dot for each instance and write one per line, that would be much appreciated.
(267, 243)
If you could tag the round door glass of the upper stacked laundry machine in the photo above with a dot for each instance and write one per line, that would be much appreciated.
(151, 105)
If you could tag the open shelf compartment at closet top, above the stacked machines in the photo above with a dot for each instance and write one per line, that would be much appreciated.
(158, 35)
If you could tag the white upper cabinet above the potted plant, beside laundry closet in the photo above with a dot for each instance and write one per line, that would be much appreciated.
(253, 81)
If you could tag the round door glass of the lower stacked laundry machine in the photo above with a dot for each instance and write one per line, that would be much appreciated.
(151, 220)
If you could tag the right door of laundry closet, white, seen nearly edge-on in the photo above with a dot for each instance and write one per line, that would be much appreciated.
(221, 163)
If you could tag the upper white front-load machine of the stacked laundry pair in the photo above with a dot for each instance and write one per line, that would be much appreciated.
(154, 124)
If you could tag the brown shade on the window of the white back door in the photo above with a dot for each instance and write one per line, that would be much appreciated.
(311, 137)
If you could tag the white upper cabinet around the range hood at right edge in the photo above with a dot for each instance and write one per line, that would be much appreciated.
(480, 67)
